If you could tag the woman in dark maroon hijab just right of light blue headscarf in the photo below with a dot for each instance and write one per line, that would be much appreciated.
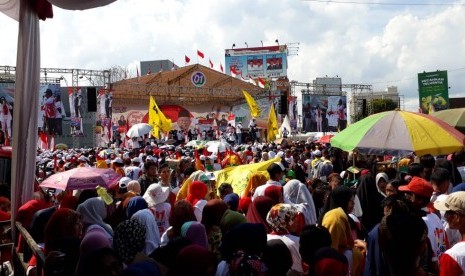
(182, 212)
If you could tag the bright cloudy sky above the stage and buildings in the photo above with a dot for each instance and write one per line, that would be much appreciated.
(383, 43)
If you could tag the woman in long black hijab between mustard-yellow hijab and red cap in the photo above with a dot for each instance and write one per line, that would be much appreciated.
(370, 201)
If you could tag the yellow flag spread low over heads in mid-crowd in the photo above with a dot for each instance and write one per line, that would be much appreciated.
(238, 176)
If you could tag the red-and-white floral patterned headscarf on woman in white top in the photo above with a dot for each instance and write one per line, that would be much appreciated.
(280, 217)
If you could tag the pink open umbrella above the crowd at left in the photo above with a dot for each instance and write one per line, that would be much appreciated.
(83, 178)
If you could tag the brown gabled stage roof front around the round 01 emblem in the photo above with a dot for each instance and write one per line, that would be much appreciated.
(176, 87)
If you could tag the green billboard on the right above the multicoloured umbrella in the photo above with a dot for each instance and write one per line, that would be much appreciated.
(433, 91)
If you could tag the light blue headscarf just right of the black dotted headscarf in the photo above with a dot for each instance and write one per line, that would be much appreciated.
(152, 238)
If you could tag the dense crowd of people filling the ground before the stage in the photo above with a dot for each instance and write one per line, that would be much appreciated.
(315, 211)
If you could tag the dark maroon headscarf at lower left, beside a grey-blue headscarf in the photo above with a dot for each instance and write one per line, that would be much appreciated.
(62, 225)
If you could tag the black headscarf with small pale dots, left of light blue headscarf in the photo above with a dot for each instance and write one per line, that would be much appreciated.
(129, 239)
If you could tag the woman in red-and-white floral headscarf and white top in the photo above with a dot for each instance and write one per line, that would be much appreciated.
(283, 221)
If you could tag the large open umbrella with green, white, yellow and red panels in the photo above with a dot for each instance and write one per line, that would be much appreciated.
(399, 133)
